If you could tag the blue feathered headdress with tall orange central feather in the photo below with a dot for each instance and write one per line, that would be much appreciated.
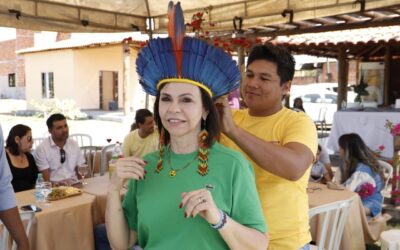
(185, 60)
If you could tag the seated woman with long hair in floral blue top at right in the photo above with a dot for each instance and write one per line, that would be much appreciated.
(361, 172)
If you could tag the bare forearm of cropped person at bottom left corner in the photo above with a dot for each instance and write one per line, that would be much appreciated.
(12, 221)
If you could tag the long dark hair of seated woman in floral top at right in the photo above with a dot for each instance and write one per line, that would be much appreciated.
(356, 152)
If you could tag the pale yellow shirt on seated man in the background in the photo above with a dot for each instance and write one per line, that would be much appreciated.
(134, 145)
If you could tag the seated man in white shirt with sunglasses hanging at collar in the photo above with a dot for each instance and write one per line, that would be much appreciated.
(58, 156)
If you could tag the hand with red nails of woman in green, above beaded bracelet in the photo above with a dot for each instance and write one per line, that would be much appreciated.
(202, 203)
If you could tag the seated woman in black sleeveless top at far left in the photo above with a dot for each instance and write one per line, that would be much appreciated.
(22, 164)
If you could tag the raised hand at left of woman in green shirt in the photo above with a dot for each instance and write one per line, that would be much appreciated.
(127, 168)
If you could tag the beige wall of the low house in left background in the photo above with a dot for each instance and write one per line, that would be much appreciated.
(76, 75)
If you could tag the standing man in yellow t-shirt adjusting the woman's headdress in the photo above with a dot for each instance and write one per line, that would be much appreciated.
(280, 143)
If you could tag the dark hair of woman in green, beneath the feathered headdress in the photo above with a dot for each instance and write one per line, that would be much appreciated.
(211, 123)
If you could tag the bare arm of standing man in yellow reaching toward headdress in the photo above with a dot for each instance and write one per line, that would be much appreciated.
(289, 161)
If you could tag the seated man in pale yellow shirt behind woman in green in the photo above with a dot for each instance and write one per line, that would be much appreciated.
(144, 139)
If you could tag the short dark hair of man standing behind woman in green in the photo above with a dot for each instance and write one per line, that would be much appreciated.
(284, 60)
